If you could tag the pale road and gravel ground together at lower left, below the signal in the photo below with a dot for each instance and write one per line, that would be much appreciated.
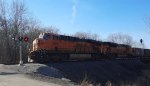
(32, 74)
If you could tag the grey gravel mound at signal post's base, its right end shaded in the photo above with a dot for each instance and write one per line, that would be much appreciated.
(36, 68)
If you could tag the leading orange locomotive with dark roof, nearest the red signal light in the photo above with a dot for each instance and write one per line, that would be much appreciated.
(52, 47)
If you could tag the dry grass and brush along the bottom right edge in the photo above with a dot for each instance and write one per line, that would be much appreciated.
(143, 80)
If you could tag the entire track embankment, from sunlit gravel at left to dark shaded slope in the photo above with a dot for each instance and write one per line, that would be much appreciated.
(69, 73)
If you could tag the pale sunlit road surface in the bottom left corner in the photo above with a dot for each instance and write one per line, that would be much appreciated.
(20, 80)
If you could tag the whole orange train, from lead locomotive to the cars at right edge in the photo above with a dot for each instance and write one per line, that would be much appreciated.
(53, 47)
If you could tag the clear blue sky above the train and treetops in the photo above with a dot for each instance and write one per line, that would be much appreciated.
(102, 17)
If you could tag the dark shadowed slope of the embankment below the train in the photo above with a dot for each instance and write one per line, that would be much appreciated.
(116, 71)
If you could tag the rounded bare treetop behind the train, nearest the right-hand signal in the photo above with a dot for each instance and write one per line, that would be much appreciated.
(121, 38)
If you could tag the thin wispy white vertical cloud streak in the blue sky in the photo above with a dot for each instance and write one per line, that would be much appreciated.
(74, 11)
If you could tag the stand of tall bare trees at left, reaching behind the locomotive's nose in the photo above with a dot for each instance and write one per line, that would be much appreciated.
(15, 21)
